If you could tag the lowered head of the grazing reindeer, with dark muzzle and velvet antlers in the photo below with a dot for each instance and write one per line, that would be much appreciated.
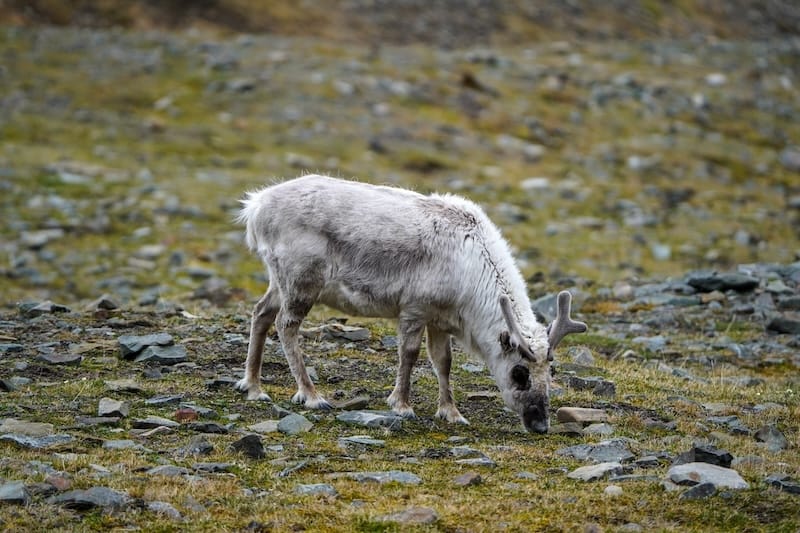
(524, 372)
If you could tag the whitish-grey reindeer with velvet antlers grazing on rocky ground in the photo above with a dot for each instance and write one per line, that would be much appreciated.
(435, 263)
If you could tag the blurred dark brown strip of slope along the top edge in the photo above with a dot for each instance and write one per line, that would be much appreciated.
(441, 22)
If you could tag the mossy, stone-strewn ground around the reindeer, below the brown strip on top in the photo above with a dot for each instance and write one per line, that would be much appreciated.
(658, 181)
